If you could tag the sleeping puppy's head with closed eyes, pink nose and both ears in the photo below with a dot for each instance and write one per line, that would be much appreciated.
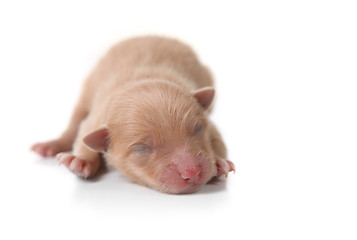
(157, 135)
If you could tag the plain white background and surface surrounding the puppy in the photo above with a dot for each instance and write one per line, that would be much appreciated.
(286, 76)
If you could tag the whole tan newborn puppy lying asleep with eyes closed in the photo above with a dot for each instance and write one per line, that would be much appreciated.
(144, 109)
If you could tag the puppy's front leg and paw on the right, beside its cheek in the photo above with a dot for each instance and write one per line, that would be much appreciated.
(224, 166)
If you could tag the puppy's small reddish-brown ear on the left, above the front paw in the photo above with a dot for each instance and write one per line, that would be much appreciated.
(98, 140)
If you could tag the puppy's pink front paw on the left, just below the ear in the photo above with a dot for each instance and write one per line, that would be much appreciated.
(80, 167)
